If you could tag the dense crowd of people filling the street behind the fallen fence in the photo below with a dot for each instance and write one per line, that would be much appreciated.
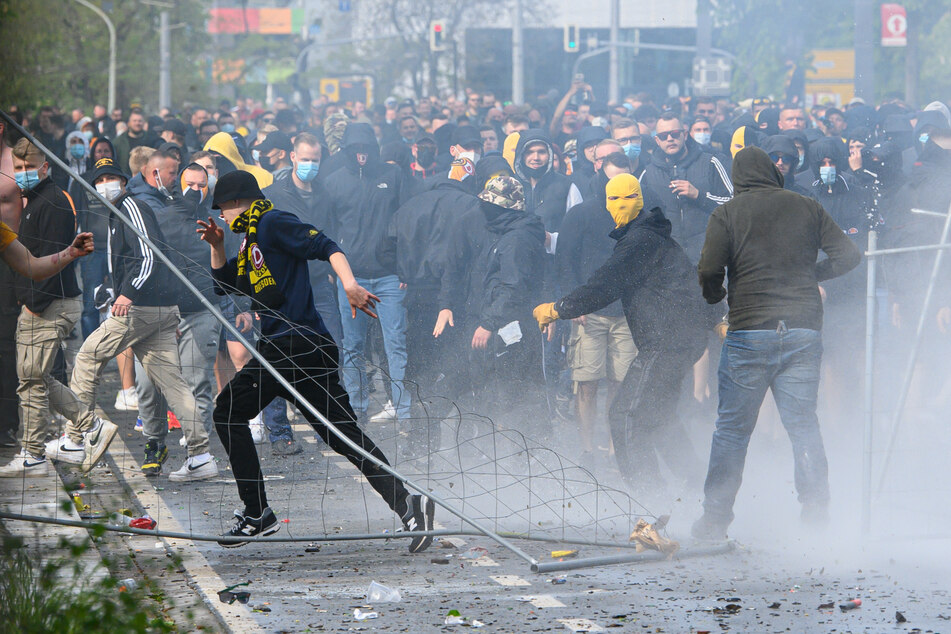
(463, 221)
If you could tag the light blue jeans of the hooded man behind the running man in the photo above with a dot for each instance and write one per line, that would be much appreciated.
(392, 314)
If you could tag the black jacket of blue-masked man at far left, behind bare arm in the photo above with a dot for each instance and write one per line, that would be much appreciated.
(47, 226)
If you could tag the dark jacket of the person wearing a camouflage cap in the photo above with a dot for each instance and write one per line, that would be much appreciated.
(513, 268)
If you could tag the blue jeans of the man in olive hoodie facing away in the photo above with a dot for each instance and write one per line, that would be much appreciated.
(786, 362)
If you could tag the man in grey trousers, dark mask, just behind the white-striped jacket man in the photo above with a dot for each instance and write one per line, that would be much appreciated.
(197, 326)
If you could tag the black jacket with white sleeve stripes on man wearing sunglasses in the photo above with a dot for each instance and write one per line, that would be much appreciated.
(688, 217)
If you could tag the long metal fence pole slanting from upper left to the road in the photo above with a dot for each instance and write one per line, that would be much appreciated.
(257, 355)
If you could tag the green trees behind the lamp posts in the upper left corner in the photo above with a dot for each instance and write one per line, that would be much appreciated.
(57, 52)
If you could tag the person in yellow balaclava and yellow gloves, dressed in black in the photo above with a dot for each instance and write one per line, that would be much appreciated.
(649, 272)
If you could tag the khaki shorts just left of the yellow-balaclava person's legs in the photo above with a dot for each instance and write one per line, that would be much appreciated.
(602, 348)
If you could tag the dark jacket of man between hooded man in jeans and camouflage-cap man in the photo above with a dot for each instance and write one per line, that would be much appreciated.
(419, 235)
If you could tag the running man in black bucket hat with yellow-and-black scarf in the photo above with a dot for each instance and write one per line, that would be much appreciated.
(294, 340)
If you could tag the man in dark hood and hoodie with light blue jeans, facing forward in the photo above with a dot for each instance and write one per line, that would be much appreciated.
(362, 197)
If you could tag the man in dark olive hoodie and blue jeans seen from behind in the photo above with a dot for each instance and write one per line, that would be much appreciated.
(768, 240)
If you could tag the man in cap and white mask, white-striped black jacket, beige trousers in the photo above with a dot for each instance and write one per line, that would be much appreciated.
(144, 317)
